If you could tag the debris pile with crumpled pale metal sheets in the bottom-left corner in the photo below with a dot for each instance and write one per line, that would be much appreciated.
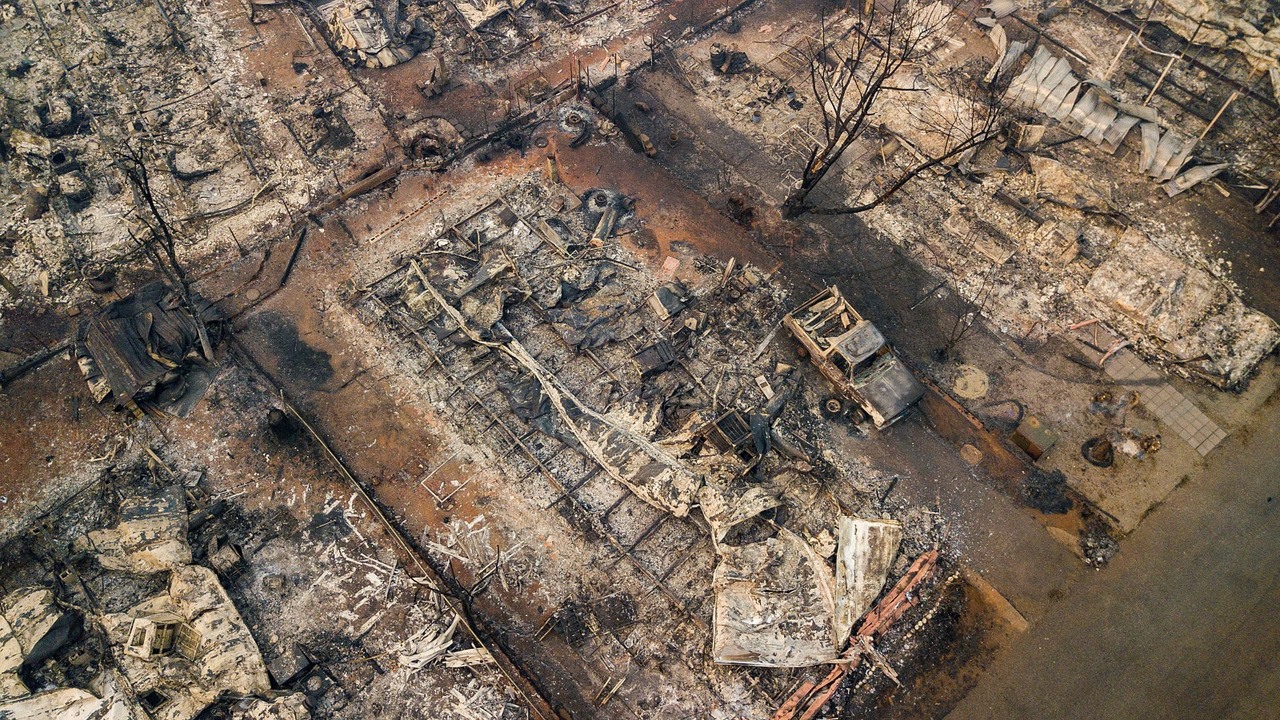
(168, 657)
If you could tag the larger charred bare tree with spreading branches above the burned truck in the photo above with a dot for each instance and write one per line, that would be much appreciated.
(854, 74)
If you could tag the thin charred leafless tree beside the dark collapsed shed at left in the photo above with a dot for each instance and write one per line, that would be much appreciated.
(159, 241)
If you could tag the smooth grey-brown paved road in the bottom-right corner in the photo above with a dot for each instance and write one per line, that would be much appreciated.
(1183, 623)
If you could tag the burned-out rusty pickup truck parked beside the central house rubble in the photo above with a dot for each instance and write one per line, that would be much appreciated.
(852, 353)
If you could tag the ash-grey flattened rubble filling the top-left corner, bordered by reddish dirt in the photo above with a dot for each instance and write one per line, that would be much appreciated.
(86, 90)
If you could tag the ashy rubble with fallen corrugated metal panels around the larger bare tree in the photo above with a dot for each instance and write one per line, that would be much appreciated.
(1034, 243)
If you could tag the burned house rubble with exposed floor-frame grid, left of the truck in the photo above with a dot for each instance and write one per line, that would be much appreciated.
(533, 320)
